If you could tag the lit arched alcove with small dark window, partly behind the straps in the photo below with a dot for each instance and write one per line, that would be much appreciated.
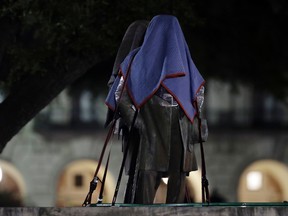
(74, 181)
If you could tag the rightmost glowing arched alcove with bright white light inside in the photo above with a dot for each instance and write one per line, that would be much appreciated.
(264, 181)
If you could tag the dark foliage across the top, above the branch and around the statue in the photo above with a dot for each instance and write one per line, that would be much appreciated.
(234, 40)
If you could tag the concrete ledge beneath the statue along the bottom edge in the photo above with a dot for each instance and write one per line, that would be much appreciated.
(129, 210)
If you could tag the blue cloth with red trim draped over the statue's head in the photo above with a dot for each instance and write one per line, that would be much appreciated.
(163, 59)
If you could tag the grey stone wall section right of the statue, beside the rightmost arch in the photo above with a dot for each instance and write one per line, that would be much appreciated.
(229, 153)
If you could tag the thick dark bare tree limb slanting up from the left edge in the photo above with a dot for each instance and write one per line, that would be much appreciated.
(32, 95)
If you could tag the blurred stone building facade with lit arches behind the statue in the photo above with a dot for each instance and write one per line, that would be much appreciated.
(53, 159)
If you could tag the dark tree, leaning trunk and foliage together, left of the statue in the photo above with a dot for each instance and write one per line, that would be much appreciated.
(48, 45)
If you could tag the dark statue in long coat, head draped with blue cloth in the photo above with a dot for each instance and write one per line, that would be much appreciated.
(159, 86)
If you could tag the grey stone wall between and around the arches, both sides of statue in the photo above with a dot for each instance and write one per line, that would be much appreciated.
(41, 158)
